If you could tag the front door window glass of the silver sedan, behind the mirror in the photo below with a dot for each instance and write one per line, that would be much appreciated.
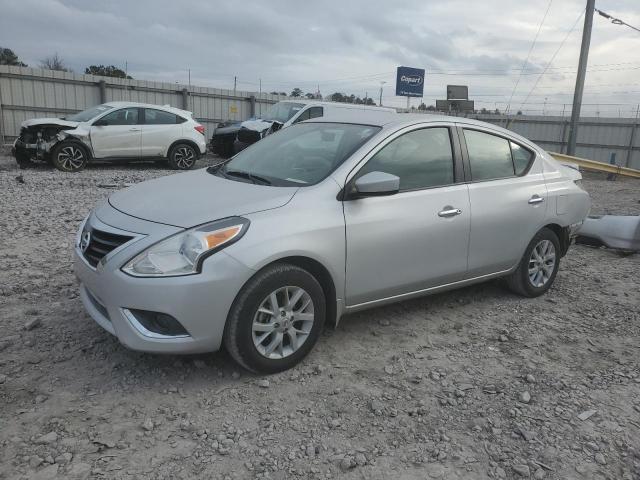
(421, 159)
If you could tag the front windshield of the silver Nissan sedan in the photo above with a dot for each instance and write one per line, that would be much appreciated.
(301, 155)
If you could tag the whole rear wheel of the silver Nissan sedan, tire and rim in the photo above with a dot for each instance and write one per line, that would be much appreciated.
(538, 267)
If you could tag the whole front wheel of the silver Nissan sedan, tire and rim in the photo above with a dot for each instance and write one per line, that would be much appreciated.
(276, 319)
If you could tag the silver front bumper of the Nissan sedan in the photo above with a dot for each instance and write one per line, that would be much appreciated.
(199, 302)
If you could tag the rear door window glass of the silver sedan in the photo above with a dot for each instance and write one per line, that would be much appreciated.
(489, 156)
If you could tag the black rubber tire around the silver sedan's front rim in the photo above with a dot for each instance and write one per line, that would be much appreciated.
(238, 334)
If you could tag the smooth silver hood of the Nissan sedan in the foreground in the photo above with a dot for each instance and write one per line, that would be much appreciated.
(193, 198)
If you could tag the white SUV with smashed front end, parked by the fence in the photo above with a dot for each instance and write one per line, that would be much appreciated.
(114, 130)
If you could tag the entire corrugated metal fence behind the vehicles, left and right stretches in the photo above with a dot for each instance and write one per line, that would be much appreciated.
(30, 92)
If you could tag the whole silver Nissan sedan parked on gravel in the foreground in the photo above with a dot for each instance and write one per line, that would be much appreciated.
(321, 219)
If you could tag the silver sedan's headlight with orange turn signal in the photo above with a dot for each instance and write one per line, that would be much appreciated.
(183, 254)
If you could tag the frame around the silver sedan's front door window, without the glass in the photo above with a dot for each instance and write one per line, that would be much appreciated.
(458, 169)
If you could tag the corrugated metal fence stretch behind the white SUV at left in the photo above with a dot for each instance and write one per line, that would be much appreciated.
(30, 92)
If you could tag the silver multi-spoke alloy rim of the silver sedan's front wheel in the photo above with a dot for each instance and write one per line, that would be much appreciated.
(283, 322)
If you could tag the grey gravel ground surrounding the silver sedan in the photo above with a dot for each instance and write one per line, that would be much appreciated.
(471, 384)
